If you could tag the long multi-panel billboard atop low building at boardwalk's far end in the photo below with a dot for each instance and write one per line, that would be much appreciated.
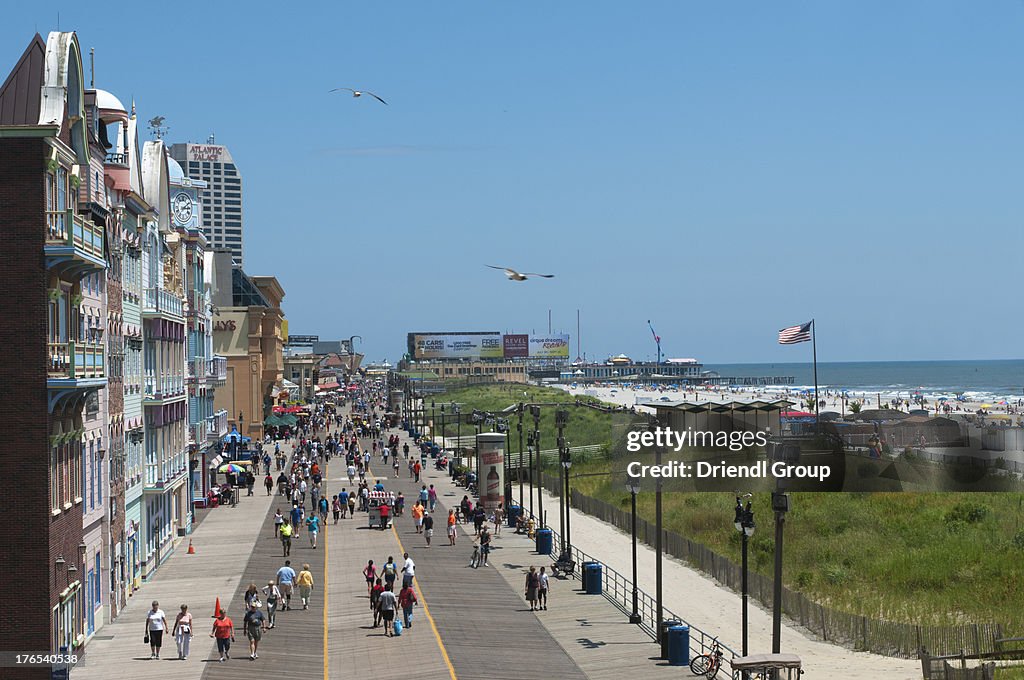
(490, 346)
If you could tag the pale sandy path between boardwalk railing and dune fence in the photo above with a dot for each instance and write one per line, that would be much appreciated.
(715, 610)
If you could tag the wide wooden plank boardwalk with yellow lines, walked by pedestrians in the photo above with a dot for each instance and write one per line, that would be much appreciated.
(473, 624)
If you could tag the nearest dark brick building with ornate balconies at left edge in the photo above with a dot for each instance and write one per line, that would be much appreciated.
(54, 363)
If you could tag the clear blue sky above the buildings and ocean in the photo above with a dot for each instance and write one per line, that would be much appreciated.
(722, 168)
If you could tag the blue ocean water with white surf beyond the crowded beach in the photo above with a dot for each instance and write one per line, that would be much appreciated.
(976, 380)
